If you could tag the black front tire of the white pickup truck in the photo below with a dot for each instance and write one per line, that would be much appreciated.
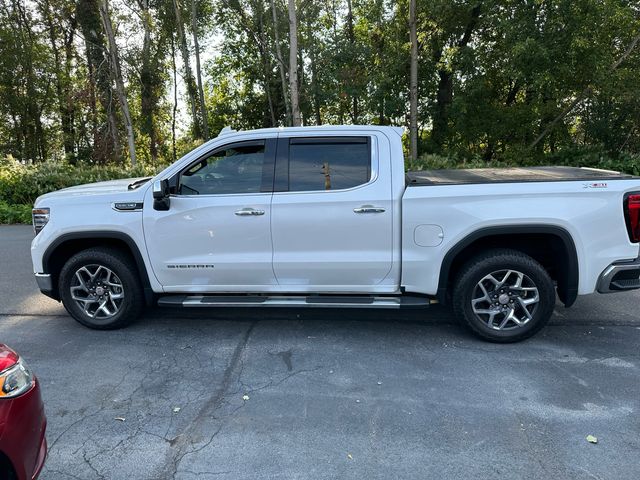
(124, 272)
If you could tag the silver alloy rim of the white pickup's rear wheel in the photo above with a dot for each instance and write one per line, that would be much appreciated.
(505, 299)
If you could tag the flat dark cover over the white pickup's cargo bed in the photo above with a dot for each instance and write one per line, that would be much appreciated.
(511, 175)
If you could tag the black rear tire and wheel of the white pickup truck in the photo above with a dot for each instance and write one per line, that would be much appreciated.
(473, 288)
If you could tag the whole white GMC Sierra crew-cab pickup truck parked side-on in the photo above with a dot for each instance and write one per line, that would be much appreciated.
(327, 217)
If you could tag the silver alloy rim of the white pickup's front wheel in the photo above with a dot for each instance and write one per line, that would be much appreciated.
(97, 290)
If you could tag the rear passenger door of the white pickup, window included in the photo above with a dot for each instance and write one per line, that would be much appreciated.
(332, 216)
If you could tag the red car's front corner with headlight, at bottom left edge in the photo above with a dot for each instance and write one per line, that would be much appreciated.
(23, 446)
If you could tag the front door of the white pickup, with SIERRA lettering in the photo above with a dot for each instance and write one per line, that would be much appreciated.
(216, 237)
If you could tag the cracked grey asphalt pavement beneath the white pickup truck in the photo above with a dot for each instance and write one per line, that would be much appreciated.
(311, 394)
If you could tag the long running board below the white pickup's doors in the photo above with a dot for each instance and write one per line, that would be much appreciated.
(317, 301)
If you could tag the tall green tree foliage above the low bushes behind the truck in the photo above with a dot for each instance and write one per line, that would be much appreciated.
(496, 78)
